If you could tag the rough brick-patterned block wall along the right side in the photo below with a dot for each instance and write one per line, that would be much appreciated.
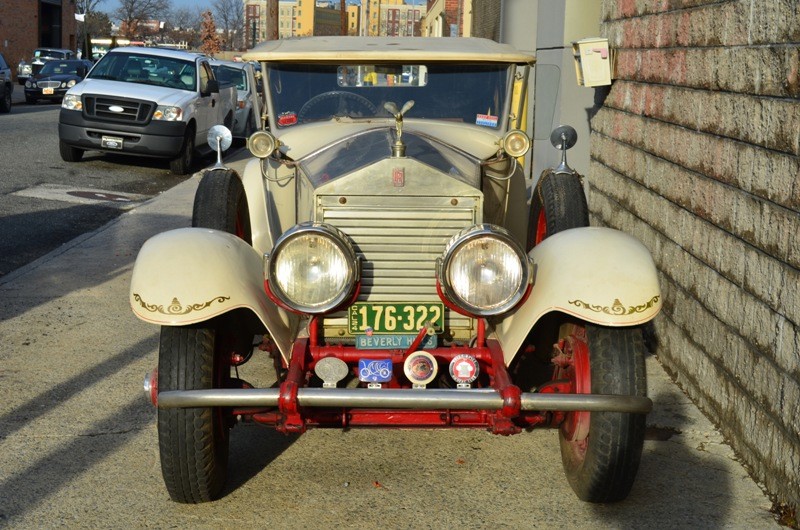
(696, 151)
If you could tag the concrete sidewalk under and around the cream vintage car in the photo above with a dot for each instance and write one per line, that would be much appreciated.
(78, 442)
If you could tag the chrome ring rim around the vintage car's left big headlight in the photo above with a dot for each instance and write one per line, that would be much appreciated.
(340, 240)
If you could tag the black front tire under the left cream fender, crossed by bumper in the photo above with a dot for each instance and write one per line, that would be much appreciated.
(193, 442)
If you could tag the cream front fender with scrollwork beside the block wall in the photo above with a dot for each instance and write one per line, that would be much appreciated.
(599, 275)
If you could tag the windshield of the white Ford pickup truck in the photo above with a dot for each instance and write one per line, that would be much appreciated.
(147, 70)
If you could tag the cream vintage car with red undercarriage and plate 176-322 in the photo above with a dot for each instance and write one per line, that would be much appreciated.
(380, 251)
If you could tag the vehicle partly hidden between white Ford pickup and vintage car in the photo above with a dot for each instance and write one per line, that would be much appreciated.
(248, 100)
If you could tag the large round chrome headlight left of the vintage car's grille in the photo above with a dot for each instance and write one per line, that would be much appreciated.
(313, 268)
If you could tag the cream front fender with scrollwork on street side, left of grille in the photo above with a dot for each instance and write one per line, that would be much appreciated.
(192, 275)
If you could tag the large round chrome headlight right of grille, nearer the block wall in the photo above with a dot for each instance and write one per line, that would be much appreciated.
(483, 270)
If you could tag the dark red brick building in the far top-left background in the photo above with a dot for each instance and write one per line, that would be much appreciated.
(20, 31)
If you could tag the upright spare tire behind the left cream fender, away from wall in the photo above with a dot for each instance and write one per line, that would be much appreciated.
(221, 204)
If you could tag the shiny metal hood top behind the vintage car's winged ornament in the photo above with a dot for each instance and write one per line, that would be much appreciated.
(375, 145)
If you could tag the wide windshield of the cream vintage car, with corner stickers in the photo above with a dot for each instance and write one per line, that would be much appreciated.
(465, 93)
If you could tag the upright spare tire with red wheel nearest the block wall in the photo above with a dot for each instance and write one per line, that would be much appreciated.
(558, 203)
